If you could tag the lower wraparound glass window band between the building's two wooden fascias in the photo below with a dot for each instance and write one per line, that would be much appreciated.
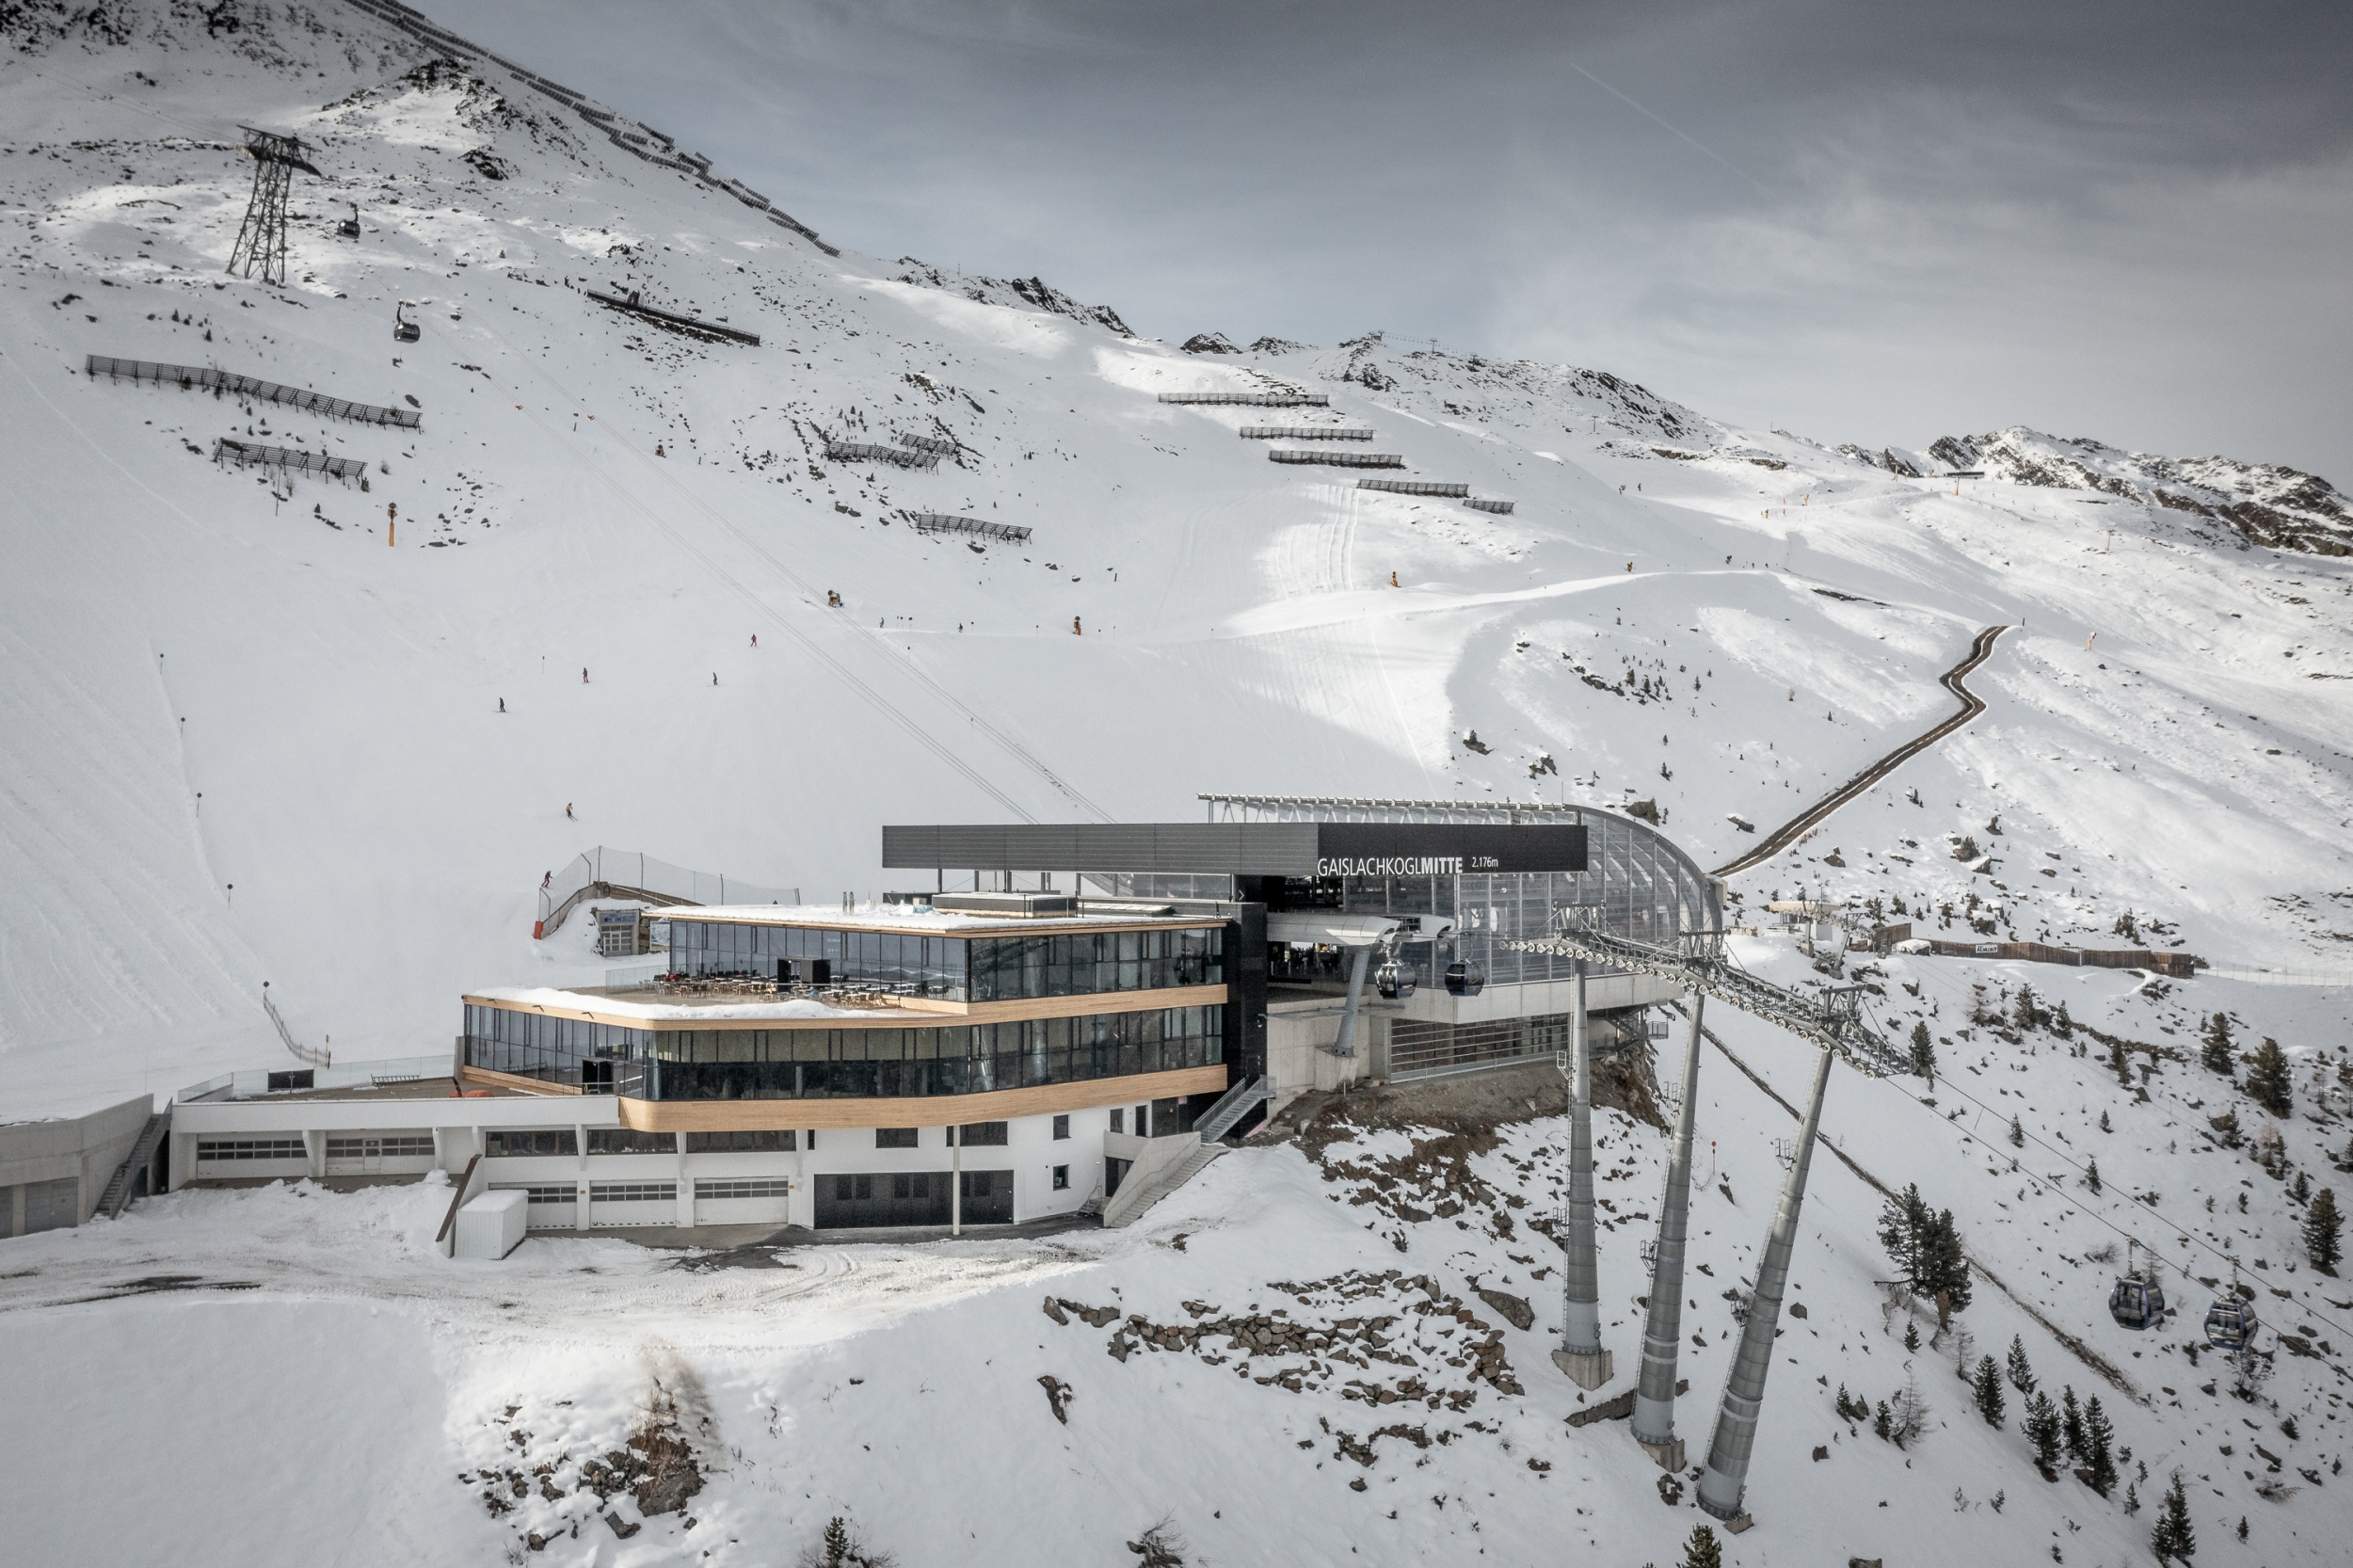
(844, 1063)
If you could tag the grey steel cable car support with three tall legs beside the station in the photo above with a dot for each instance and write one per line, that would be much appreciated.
(1834, 1023)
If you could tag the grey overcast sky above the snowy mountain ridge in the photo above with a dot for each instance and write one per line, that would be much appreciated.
(1858, 222)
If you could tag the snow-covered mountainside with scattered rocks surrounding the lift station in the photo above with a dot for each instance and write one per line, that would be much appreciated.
(253, 733)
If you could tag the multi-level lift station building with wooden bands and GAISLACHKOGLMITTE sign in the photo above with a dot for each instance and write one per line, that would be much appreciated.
(1053, 1021)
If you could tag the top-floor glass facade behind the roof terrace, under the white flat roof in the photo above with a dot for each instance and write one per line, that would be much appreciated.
(954, 969)
